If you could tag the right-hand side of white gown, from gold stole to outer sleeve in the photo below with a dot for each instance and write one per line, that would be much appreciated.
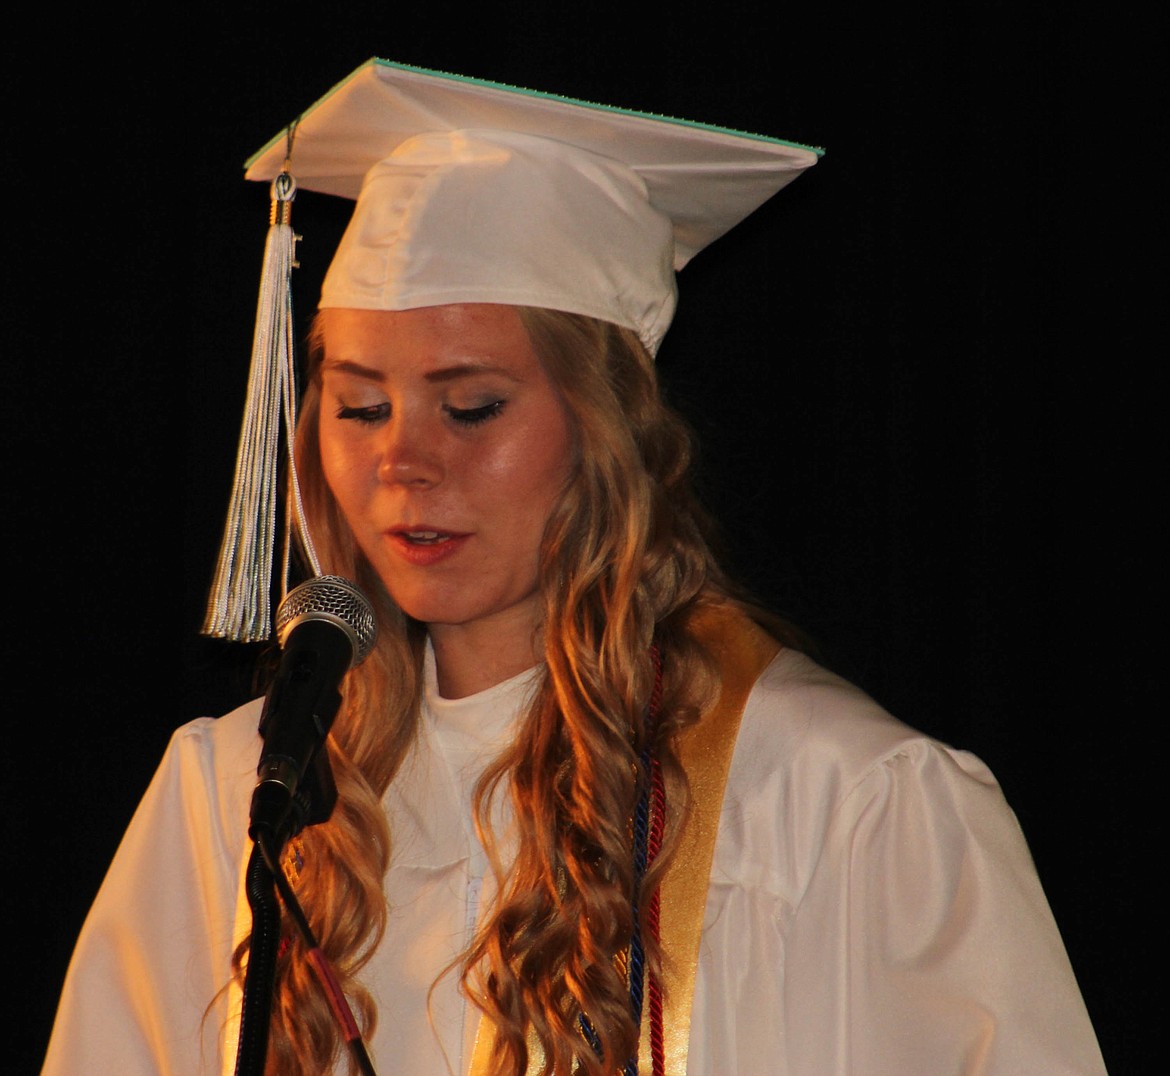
(873, 908)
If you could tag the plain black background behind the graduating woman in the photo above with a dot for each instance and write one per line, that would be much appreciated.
(920, 378)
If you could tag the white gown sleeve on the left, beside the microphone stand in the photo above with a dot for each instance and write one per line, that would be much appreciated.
(146, 988)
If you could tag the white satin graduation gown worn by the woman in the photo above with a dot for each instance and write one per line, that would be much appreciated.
(873, 907)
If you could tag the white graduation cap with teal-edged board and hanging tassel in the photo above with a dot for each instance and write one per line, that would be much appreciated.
(472, 191)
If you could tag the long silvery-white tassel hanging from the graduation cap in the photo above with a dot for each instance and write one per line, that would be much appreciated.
(240, 606)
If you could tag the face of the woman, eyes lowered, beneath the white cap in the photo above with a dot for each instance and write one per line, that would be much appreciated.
(445, 445)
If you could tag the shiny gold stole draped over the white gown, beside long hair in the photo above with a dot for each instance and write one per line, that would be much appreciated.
(742, 652)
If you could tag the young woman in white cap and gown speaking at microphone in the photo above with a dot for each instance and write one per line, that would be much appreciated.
(595, 813)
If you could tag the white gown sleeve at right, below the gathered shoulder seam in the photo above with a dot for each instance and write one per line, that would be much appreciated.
(924, 942)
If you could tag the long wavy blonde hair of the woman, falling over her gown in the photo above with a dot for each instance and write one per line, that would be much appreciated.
(625, 558)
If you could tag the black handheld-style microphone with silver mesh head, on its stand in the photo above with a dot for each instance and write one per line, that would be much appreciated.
(326, 627)
